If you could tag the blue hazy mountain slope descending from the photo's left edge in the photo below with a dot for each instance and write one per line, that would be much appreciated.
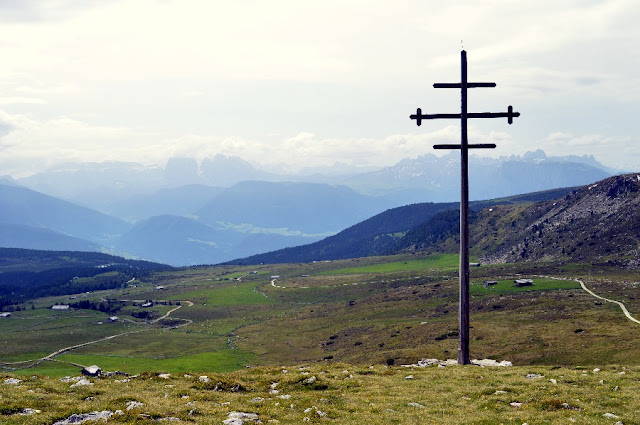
(26, 207)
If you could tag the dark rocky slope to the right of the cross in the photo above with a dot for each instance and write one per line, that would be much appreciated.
(599, 222)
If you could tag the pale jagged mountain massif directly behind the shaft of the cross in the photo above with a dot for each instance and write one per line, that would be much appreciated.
(437, 178)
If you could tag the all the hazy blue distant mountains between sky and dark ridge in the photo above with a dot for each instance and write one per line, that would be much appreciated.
(186, 213)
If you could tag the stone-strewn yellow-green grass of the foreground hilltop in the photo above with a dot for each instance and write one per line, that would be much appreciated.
(343, 394)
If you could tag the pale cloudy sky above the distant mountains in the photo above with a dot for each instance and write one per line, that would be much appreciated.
(287, 84)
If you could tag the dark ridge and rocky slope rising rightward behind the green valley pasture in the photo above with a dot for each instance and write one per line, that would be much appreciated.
(596, 222)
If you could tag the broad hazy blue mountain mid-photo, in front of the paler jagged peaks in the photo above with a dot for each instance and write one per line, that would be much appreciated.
(298, 207)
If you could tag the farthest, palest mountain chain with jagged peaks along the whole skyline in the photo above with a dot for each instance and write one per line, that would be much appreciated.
(426, 178)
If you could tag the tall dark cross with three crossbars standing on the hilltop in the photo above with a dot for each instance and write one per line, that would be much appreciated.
(464, 146)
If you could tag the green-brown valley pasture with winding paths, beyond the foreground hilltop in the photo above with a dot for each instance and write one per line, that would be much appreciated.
(384, 310)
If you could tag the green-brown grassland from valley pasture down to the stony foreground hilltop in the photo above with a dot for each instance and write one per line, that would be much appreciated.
(364, 316)
